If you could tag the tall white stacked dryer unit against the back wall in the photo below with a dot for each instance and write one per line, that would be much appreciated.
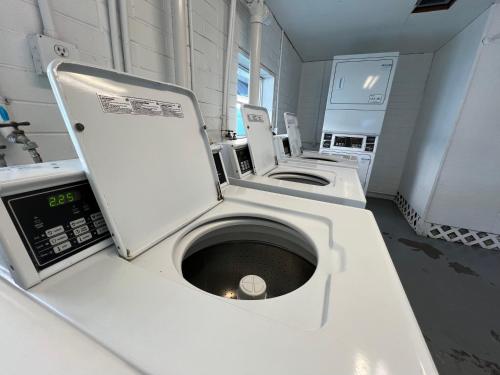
(359, 91)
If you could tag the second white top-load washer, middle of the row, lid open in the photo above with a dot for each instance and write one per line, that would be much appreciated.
(253, 163)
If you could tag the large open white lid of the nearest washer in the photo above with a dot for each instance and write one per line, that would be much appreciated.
(143, 147)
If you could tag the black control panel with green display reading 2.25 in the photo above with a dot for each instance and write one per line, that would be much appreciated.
(57, 222)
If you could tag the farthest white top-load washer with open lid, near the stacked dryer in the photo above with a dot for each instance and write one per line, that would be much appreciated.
(290, 148)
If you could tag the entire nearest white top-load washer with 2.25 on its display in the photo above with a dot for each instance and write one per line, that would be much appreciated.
(189, 256)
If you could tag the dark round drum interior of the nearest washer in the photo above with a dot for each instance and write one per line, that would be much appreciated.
(278, 255)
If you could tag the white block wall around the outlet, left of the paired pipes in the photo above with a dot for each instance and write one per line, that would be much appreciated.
(81, 22)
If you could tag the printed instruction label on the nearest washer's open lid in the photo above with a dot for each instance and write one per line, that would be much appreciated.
(139, 106)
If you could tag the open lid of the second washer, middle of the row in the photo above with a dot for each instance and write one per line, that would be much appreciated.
(260, 138)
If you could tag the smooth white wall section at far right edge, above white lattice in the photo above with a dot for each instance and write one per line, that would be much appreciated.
(467, 193)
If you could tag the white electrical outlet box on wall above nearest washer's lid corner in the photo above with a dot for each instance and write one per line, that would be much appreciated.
(44, 49)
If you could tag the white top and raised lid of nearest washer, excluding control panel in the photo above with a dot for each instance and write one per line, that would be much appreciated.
(351, 315)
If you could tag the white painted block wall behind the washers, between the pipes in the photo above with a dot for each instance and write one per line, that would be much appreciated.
(85, 23)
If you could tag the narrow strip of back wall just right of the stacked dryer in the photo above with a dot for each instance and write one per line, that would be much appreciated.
(399, 124)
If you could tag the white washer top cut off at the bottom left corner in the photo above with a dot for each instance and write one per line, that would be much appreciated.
(37, 341)
